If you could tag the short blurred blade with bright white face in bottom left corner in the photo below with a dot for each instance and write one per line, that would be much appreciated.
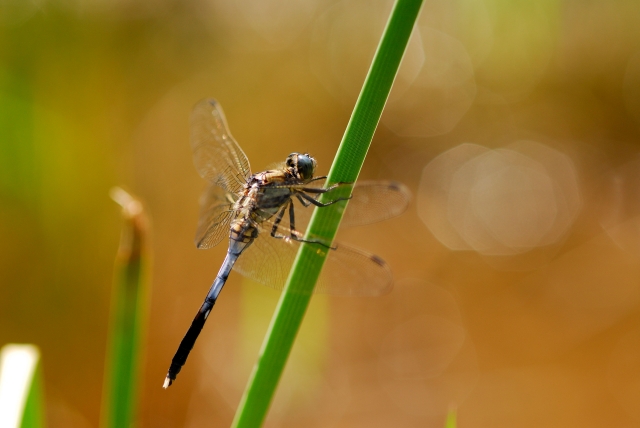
(21, 387)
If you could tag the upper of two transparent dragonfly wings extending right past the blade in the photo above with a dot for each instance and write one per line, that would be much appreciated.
(371, 201)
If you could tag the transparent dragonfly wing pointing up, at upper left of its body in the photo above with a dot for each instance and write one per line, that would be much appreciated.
(217, 156)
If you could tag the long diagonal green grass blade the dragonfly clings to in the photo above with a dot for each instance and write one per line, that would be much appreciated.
(324, 223)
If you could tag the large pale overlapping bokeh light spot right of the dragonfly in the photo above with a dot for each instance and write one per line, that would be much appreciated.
(499, 202)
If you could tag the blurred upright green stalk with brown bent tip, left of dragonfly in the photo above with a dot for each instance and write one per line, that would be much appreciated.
(128, 317)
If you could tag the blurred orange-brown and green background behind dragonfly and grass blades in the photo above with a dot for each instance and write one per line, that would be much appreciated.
(517, 264)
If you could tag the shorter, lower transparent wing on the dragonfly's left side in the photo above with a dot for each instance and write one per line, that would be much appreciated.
(215, 216)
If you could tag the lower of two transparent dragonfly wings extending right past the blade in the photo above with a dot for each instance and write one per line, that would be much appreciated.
(347, 270)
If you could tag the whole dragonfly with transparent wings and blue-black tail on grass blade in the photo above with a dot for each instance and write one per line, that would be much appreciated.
(249, 209)
